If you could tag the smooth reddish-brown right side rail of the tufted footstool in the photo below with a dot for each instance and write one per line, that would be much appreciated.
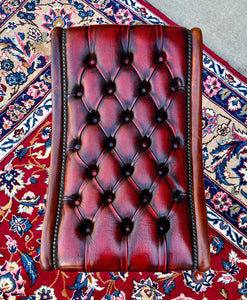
(203, 254)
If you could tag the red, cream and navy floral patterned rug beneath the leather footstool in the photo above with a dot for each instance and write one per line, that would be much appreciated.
(25, 134)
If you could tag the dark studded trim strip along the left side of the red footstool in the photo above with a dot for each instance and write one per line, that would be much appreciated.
(63, 158)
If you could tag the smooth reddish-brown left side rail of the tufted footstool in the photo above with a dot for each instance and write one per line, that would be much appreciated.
(46, 255)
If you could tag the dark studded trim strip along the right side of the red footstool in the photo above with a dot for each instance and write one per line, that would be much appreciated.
(190, 180)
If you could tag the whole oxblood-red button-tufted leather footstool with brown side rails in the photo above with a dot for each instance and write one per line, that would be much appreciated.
(126, 185)
